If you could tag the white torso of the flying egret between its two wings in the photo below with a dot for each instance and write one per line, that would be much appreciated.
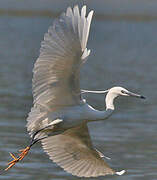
(76, 115)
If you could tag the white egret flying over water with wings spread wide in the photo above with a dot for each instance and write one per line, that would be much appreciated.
(60, 115)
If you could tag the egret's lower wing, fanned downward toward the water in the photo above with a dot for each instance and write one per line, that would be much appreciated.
(73, 151)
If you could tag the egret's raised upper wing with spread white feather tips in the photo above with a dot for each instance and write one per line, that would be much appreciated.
(56, 71)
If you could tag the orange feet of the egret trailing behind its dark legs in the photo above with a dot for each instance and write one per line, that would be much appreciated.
(23, 153)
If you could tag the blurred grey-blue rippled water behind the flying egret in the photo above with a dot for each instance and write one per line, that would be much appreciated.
(123, 43)
